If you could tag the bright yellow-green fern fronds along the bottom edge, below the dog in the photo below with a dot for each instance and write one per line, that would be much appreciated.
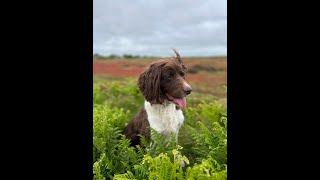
(162, 168)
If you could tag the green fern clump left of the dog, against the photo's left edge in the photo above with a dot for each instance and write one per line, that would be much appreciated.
(112, 150)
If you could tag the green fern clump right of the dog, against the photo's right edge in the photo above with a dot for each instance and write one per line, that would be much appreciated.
(207, 136)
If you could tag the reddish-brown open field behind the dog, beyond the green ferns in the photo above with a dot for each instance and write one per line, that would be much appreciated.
(205, 75)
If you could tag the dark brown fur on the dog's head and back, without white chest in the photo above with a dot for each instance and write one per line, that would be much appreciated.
(166, 76)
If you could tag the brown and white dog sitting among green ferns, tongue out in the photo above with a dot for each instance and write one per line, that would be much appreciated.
(164, 88)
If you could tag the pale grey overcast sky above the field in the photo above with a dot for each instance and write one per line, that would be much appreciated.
(153, 28)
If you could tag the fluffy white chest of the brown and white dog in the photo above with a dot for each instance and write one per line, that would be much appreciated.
(164, 118)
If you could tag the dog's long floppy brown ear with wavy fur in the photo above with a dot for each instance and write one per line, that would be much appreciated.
(149, 83)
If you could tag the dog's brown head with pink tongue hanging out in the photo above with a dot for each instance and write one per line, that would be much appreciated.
(165, 79)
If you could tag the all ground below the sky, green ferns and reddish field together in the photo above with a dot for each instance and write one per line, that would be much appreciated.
(202, 140)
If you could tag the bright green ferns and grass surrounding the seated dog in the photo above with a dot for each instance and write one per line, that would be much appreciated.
(202, 142)
